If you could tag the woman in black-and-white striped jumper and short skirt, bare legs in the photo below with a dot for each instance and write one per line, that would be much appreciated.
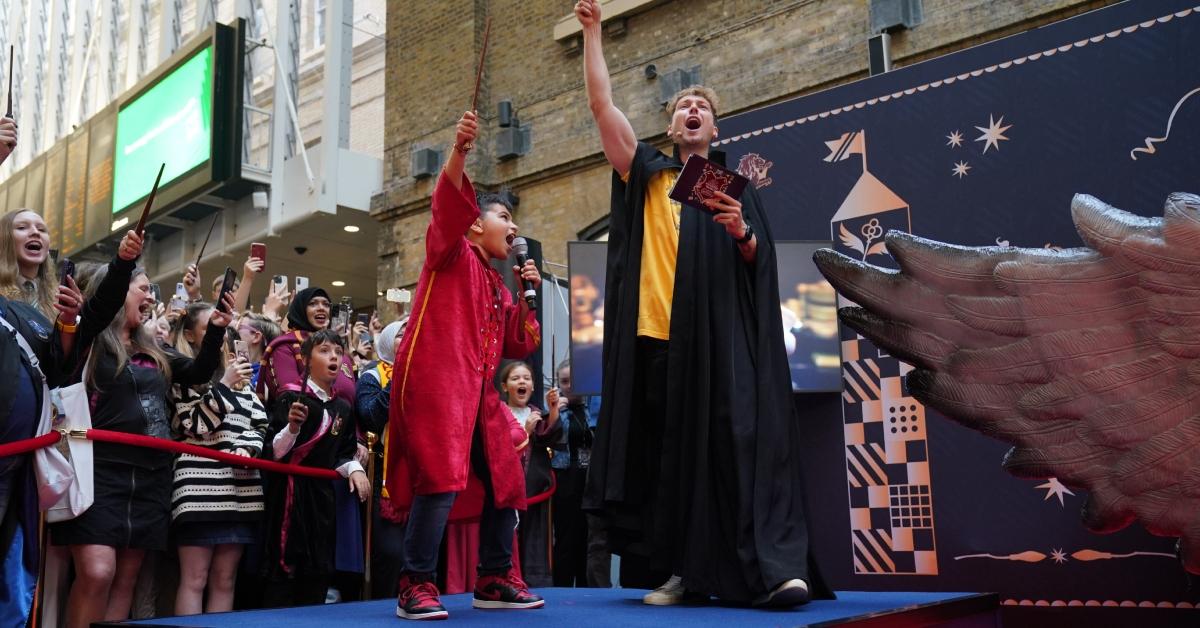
(215, 507)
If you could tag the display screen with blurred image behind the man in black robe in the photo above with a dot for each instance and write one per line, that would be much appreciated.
(808, 309)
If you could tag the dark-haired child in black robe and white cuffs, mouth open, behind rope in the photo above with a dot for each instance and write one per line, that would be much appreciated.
(314, 428)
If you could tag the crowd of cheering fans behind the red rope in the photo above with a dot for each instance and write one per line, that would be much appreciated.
(299, 382)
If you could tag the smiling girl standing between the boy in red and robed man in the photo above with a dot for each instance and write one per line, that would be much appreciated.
(541, 432)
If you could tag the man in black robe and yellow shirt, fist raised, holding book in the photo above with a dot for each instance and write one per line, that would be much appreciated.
(695, 460)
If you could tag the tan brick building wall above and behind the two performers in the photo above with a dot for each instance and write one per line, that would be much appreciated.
(754, 53)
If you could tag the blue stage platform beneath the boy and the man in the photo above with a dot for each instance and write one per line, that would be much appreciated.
(623, 607)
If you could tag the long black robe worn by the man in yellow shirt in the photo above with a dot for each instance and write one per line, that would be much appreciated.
(728, 513)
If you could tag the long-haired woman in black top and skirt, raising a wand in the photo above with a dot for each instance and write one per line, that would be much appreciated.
(130, 375)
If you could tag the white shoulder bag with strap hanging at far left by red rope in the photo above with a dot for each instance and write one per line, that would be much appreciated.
(65, 479)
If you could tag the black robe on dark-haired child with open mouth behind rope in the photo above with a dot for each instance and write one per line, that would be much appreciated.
(302, 521)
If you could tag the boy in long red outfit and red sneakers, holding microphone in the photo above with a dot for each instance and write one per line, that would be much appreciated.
(447, 418)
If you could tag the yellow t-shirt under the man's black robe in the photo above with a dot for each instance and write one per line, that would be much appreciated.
(661, 248)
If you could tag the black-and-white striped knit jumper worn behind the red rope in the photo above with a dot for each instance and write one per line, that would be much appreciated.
(223, 420)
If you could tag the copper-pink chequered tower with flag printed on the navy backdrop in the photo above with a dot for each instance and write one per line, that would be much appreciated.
(887, 456)
